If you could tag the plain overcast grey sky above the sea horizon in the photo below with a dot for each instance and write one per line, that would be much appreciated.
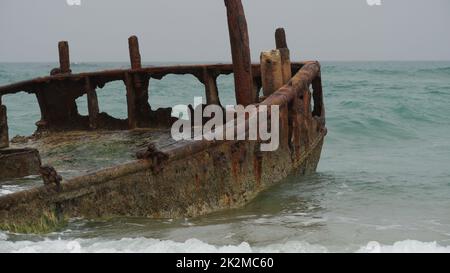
(196, 30)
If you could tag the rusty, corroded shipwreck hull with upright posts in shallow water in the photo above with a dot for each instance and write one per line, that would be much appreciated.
(160, 178)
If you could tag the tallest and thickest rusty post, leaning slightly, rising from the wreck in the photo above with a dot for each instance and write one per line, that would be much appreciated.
(240, 51)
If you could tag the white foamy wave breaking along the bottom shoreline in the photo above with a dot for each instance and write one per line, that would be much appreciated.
(146, 245)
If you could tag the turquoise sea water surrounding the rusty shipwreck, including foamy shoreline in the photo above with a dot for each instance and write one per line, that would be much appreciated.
(383, 183)
